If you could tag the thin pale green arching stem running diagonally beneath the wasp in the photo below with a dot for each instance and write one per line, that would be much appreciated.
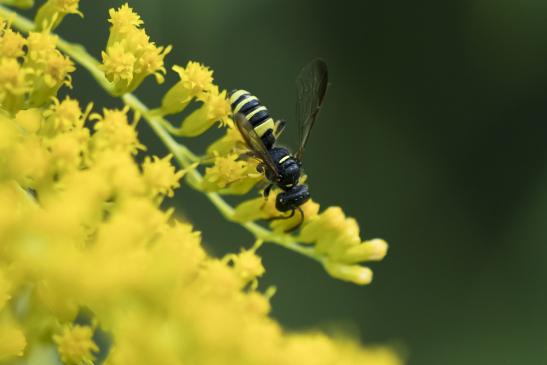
(181, 153)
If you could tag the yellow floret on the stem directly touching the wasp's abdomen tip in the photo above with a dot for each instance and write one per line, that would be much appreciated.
(216, 108)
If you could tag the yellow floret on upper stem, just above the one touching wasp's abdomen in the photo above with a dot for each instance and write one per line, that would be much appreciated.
(195, 80)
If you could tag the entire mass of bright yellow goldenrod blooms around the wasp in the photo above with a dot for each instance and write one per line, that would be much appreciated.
(82, 228)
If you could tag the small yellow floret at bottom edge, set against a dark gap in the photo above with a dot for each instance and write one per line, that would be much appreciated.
(75, 345)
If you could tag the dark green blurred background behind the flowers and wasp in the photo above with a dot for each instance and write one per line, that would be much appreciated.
(433, 136)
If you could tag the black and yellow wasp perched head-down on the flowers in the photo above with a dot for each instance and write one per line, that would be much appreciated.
(260, 133)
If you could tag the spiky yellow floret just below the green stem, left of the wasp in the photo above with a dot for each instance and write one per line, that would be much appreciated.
(160, 176)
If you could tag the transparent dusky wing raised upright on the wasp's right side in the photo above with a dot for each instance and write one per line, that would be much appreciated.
(311, 87)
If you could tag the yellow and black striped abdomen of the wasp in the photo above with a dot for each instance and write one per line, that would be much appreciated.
(243, 102)
